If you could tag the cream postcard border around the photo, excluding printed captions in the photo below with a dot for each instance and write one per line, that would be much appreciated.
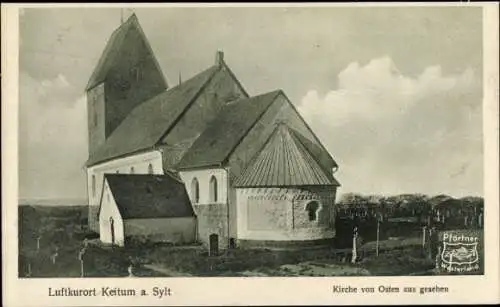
(249, 290)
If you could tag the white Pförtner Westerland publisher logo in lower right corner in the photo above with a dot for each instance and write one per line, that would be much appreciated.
(459, 253)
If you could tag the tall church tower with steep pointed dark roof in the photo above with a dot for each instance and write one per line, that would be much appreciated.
(126, 75)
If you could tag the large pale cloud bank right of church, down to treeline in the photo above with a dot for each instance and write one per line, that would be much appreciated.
(394, 133)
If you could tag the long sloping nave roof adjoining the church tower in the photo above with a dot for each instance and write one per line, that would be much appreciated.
(151, 120)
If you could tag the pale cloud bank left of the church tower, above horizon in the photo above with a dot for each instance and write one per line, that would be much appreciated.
(52, 142)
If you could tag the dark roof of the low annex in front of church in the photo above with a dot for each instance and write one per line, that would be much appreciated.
(149, 196)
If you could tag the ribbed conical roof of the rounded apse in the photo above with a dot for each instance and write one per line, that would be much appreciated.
(284, 161)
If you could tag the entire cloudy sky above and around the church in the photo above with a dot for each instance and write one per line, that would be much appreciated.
(394, 94)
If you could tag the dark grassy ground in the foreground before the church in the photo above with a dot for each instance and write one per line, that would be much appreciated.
(59, 231)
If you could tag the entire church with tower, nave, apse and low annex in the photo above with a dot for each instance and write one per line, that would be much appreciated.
(201, 161)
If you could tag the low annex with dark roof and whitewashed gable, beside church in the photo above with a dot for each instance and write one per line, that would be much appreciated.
(146, 208)
